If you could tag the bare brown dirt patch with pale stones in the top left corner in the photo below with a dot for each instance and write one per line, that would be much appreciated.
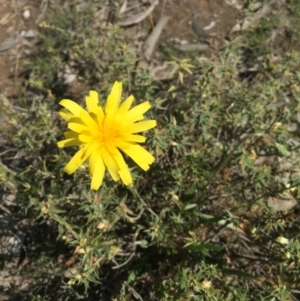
(18, 24)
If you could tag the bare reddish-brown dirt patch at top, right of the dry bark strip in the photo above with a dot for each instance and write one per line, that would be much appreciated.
(216, 17)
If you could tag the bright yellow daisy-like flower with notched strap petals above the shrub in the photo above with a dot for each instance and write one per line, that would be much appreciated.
(102, 134)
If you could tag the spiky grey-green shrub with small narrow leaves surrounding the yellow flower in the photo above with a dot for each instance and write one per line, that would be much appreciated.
(201, 224)
